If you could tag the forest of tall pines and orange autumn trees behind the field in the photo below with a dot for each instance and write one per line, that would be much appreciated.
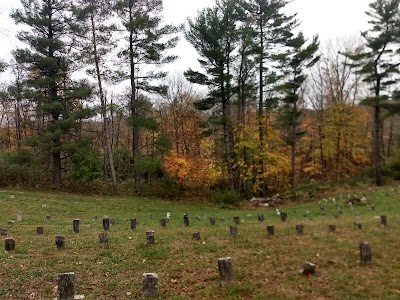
(269, 111)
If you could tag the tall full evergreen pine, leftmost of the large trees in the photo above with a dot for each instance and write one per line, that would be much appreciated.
(55, 95)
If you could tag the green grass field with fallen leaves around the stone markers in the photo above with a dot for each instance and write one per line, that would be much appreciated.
(265, 267)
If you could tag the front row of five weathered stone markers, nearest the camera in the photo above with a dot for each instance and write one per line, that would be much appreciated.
(150, 280)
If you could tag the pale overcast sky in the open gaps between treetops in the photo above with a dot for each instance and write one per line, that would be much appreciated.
(329, 19)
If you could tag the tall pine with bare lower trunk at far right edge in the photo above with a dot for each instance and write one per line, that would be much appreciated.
(377, 63)
